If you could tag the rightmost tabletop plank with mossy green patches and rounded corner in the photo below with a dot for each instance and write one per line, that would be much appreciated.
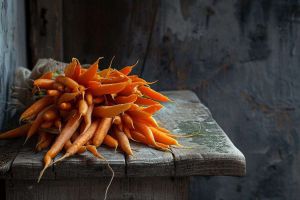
(209, 151)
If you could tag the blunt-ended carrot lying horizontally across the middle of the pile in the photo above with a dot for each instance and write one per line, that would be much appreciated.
(111, 111)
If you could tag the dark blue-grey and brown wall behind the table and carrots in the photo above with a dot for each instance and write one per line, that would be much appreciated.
(241, 57)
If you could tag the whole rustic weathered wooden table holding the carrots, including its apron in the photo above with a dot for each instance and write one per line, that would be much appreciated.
(149, 174)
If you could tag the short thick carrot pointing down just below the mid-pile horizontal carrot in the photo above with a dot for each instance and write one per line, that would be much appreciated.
(101, 132)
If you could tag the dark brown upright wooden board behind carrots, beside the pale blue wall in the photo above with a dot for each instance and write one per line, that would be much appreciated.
(45, 30)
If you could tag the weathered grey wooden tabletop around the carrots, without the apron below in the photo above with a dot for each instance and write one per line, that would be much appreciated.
(208, 152)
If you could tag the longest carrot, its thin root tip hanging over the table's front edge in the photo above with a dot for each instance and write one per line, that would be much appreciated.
(64, 136)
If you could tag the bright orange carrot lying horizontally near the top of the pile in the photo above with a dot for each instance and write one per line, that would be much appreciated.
(106, 88)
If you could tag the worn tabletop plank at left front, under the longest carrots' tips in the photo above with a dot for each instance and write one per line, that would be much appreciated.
(28, 165)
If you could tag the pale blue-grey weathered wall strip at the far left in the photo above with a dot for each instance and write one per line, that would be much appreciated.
(12, 47)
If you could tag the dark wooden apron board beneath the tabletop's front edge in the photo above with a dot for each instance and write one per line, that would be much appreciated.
(79, 189)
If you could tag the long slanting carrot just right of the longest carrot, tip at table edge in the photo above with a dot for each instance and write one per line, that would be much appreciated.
(80, 141)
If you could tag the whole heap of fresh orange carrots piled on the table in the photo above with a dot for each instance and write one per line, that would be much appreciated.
(84, 108)
